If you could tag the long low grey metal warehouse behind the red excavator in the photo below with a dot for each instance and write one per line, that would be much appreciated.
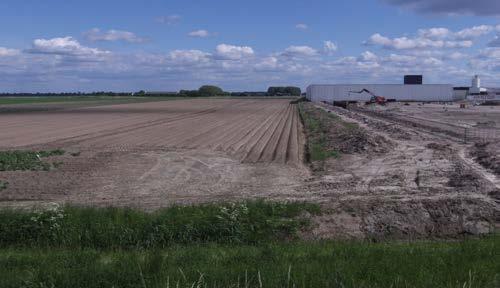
(397, 92)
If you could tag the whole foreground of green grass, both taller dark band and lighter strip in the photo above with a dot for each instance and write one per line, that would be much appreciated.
(250, 244)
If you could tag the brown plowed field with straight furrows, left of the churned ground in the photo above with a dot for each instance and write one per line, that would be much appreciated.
(158, 153)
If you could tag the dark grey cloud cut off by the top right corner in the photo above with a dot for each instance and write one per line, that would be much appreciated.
(477, 7)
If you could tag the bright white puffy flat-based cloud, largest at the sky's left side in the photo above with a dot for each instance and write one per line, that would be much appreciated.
(64, 46)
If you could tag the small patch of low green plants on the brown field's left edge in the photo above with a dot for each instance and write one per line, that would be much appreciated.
(26, 160)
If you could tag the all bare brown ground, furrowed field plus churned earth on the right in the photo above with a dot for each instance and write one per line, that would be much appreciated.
(393, 179)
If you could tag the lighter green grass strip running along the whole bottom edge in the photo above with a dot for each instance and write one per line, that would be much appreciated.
(470, 264)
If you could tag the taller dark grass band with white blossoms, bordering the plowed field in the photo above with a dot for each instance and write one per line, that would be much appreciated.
(105, 228)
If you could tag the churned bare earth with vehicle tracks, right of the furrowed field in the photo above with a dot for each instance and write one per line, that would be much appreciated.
(423, 186)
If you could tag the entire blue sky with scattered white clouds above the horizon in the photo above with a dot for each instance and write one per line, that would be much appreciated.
(153, 45)
